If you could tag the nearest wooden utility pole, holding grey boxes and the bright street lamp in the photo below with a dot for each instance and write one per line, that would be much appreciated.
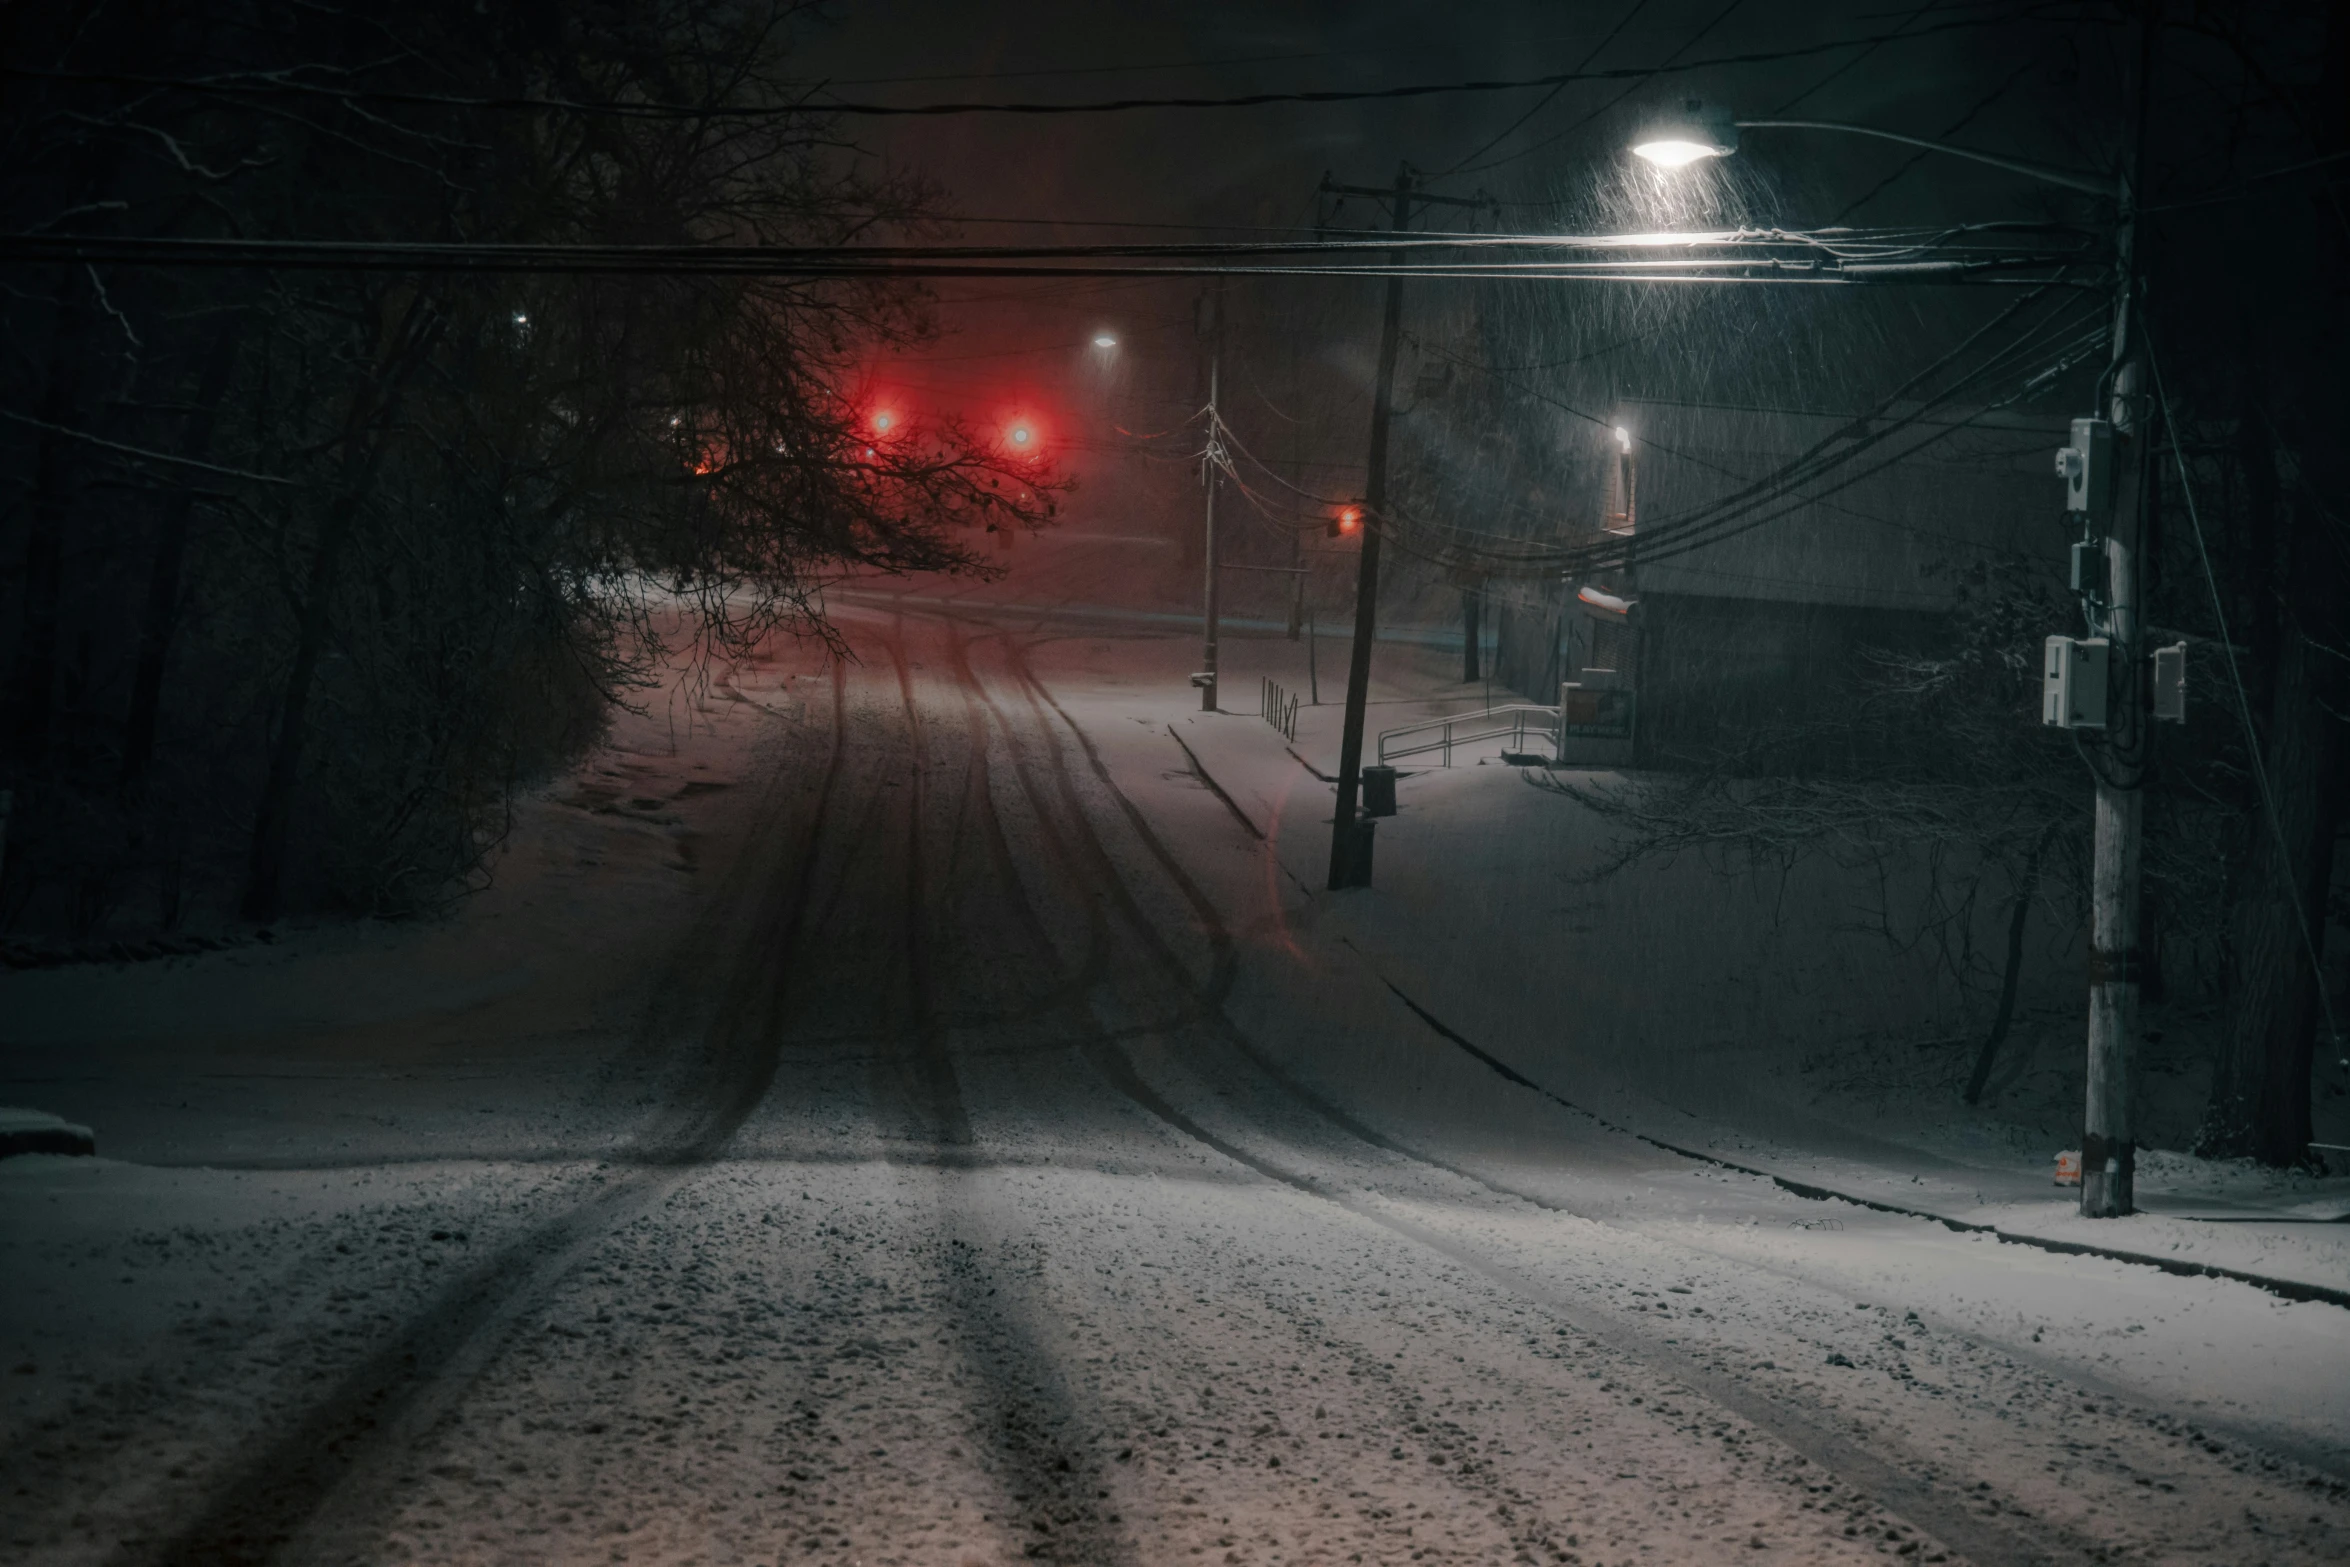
(2109, 1150)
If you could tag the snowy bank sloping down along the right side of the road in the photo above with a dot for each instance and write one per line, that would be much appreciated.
(1757, 1016)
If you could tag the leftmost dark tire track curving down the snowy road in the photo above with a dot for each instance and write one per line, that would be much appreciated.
(314, 1484)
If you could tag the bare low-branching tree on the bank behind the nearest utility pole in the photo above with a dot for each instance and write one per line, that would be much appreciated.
(1935, 781)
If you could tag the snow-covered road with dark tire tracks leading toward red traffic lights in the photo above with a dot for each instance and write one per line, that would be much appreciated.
(941, 1211)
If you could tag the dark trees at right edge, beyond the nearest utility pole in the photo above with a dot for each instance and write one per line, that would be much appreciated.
(2250, 325)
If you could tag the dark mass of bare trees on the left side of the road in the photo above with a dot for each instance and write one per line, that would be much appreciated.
(304, 574)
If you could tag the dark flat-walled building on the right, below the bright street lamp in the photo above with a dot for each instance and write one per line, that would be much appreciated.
(1761, 591)
